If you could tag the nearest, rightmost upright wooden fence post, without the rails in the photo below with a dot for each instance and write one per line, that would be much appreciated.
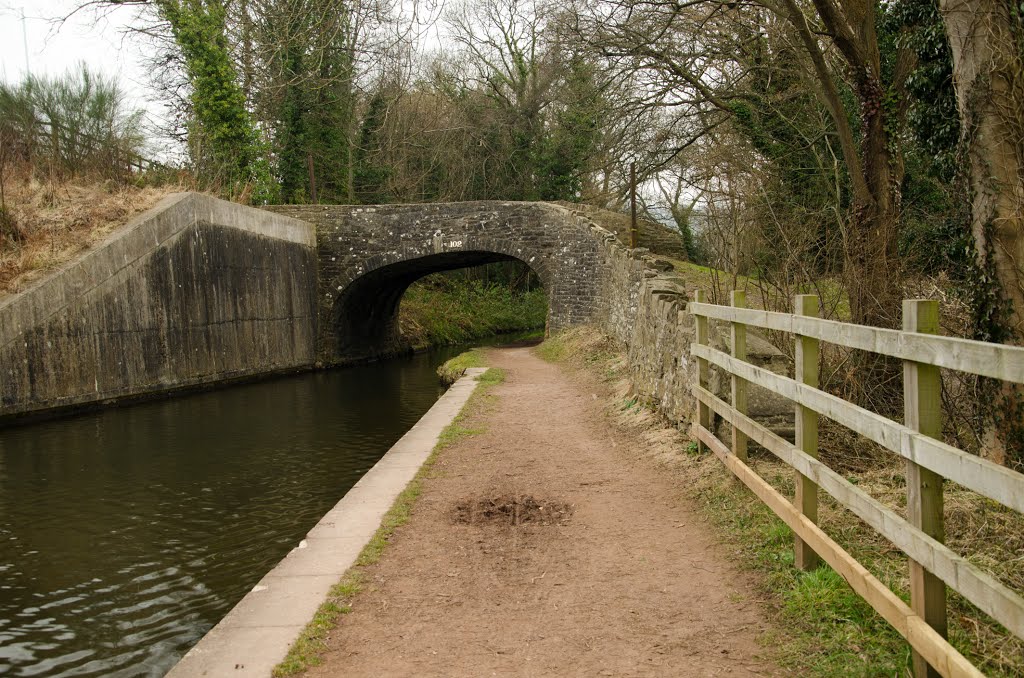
(923, 412)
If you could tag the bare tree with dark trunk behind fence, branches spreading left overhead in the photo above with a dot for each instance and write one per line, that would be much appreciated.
(694, 57)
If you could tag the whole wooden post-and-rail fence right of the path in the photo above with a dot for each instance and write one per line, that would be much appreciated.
(921, 535)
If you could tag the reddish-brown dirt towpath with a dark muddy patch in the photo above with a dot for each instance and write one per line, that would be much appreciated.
(546, 546)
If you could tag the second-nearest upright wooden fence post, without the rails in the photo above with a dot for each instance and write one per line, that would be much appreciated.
(806, 498)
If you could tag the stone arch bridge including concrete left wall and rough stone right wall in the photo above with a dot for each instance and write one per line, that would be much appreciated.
(199, 292)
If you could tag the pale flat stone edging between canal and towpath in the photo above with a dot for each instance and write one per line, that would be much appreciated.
(257, 635)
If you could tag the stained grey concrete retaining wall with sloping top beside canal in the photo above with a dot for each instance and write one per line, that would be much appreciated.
(192, 292)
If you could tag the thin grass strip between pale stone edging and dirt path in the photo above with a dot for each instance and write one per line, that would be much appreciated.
(309, 649)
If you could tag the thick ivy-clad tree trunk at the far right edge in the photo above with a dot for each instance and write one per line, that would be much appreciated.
(986, 40)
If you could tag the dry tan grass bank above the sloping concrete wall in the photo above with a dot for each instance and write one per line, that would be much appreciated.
(49, 225)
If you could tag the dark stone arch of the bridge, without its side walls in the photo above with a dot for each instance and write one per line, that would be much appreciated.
(368, 257)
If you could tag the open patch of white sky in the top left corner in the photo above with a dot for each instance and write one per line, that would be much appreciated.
(99, 38)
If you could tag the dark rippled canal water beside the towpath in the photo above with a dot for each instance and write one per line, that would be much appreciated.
(126, 534)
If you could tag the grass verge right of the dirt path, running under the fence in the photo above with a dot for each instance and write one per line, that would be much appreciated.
(823, 628)
